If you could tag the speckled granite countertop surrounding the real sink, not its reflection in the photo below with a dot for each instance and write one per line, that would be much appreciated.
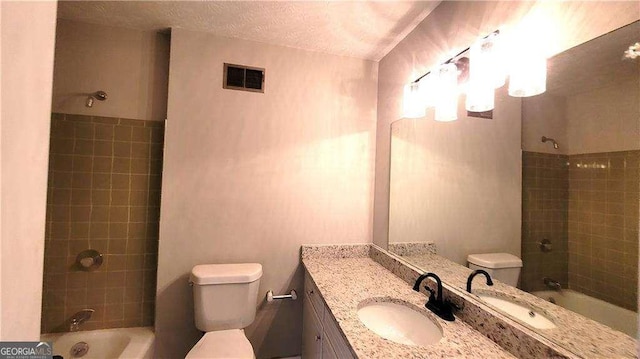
(344, 283)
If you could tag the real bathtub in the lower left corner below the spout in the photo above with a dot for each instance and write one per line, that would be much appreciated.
(134, 343)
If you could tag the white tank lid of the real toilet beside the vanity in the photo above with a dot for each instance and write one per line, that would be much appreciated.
(225, 273)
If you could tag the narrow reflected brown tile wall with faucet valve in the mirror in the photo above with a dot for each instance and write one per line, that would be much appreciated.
(545, 197)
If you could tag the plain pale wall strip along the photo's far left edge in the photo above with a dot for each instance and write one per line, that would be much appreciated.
(28, 32)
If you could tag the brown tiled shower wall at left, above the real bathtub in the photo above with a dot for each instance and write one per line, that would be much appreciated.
(103, 194)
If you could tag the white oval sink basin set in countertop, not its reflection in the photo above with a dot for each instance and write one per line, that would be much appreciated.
(399, 323)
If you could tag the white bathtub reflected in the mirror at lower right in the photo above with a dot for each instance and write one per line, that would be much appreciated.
(615, 317)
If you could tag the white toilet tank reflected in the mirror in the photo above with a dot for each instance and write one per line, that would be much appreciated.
(504, 267)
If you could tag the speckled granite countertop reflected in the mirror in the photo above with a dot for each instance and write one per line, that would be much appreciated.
(580, 335)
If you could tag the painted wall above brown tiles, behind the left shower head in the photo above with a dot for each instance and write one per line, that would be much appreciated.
(131, 66)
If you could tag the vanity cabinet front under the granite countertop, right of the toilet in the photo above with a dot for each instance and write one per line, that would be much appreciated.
(320, 334)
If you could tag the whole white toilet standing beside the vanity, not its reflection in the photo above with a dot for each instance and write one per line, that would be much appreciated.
(224, 298)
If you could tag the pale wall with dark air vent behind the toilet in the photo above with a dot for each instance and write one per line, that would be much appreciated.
(249, 177)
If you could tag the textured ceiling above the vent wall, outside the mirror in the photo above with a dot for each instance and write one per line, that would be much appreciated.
(362, 29)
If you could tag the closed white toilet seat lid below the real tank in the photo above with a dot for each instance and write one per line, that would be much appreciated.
(230, 344)
